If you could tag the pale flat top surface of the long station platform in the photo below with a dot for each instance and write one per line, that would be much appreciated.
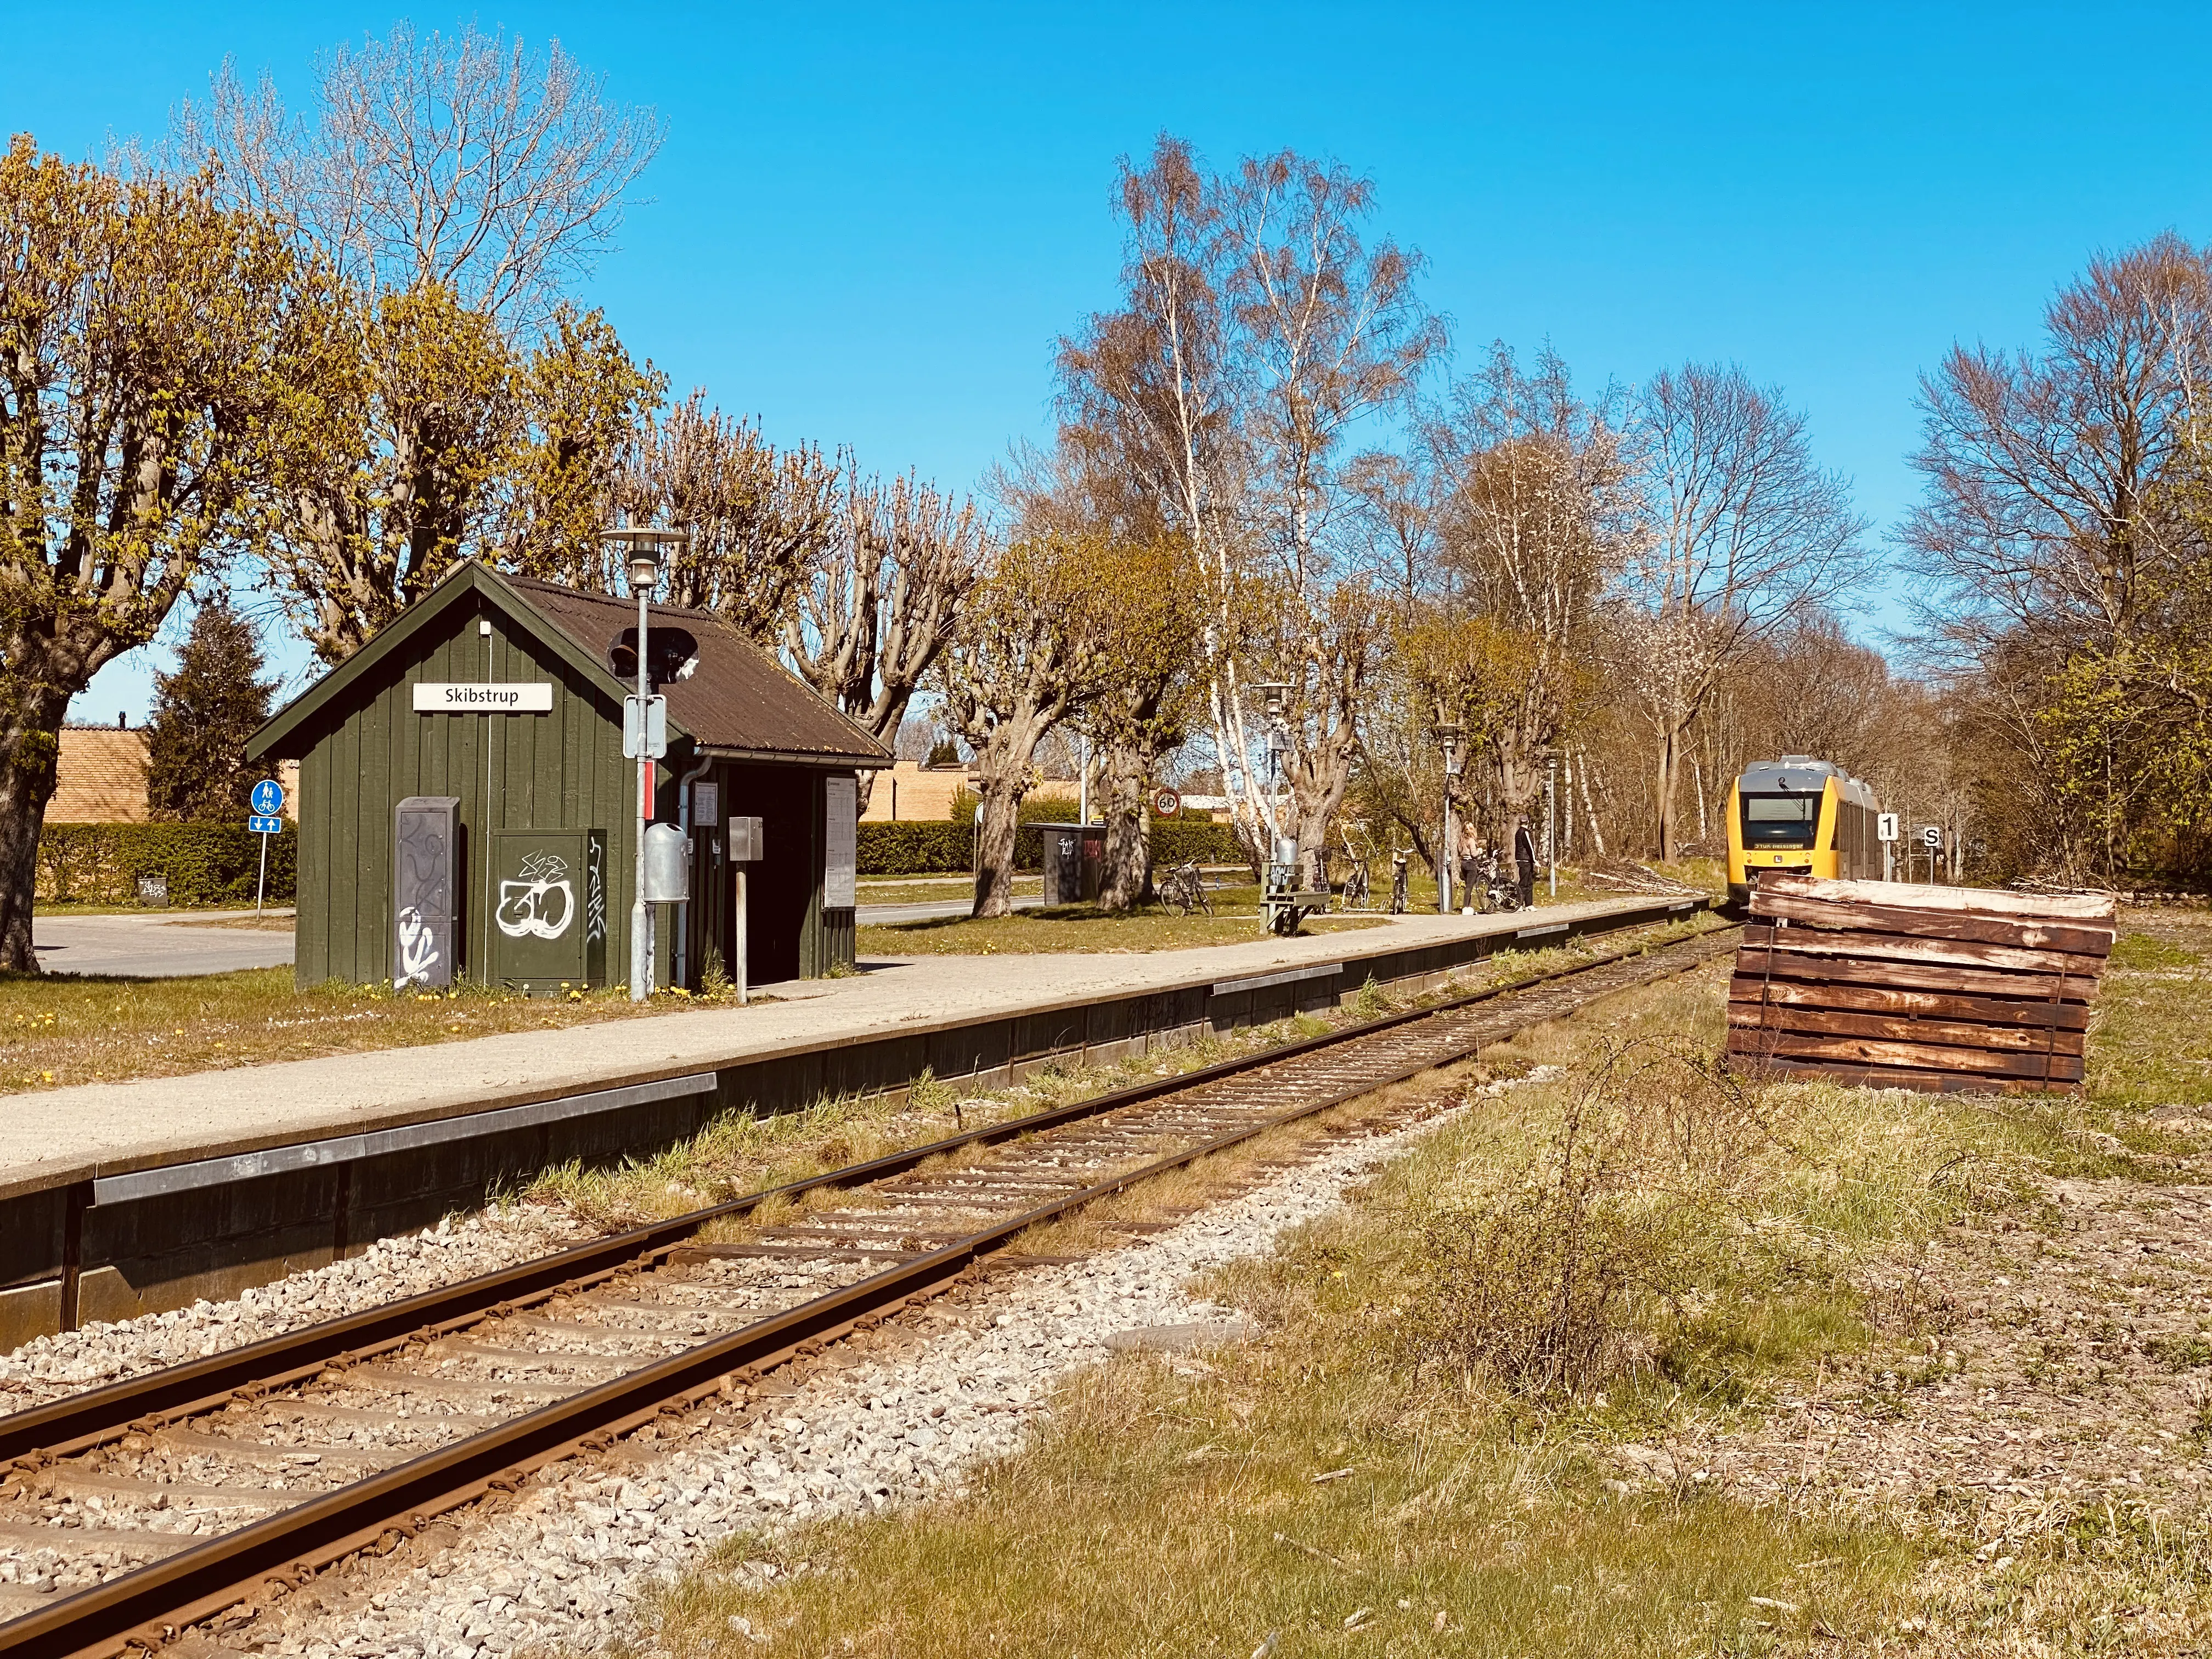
(107, 1129)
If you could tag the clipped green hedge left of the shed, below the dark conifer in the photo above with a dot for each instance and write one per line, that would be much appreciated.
(207, 864)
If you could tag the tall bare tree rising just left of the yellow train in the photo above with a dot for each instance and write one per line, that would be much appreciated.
(1744, 536)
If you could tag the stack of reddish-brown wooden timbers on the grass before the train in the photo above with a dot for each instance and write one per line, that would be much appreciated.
(1917, 988)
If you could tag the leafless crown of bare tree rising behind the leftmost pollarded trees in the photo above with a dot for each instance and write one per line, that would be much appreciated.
(459, 160)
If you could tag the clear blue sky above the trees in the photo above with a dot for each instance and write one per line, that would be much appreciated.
(870, 222)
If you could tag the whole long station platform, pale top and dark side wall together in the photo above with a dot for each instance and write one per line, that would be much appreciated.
(163, 1182)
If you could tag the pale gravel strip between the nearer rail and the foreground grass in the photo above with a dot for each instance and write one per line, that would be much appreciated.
(570, 1563)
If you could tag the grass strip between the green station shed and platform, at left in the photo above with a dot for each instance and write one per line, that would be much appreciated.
(61, 1030)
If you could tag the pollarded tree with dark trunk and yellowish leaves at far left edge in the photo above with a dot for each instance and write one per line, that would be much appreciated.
(152, 353)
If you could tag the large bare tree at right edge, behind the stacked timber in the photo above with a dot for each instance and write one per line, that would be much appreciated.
(2065, 543)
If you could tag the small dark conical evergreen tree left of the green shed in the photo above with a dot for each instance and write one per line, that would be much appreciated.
(202, 716)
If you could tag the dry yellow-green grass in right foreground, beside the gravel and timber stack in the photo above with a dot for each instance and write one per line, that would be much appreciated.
(1335, 1488)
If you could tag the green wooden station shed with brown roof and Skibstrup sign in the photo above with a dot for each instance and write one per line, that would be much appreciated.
(466, 808)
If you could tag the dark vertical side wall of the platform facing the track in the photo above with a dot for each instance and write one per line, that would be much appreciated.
(145, 1235)
